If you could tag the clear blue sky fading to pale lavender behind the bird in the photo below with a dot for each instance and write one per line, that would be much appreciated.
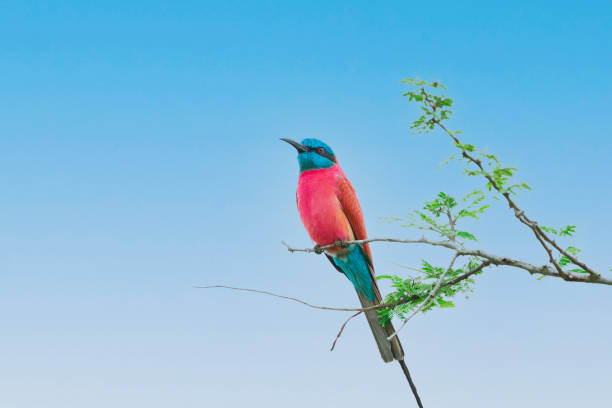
(140, 157)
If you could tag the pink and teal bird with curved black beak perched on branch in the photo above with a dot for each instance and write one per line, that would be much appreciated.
(329, 209)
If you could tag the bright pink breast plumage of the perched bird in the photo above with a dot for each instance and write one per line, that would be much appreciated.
(319, 207)
